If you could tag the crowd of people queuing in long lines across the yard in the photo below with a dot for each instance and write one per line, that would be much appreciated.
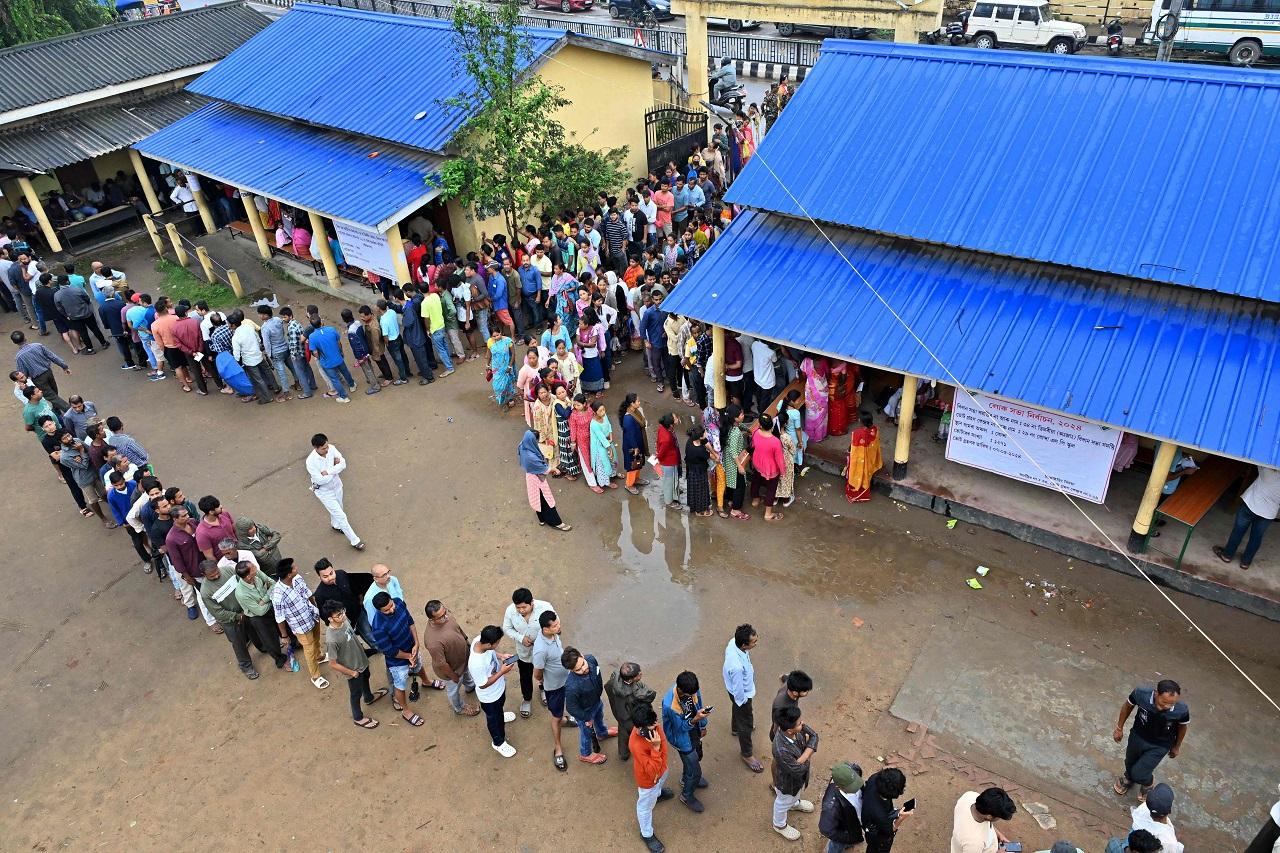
(578, 293)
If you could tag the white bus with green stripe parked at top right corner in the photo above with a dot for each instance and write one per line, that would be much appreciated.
(1244, 30)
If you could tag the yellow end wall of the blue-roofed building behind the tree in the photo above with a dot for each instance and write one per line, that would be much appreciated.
(593, 121)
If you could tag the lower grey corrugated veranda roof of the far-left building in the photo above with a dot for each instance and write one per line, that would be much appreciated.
(72, 138)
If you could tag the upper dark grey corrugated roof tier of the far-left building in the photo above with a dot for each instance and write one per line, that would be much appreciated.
(83, 62)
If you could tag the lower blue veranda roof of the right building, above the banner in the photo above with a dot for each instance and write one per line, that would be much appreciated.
(1203, 370)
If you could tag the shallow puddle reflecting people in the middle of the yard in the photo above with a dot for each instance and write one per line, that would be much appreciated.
(651, 599)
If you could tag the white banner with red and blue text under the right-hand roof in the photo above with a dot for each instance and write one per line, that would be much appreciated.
(1071, 455)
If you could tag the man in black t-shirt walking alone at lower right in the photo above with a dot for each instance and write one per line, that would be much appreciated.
(1158, 732)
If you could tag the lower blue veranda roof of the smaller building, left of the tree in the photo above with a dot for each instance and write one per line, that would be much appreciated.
(359, 180)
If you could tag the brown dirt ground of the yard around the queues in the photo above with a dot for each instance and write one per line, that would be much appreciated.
(126, 726)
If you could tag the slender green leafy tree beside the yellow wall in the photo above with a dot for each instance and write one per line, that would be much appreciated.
(515, 158)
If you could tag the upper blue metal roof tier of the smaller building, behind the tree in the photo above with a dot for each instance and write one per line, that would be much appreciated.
(365, 72)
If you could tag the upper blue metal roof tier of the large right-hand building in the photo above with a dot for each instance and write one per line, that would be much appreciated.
(1039, 157)
